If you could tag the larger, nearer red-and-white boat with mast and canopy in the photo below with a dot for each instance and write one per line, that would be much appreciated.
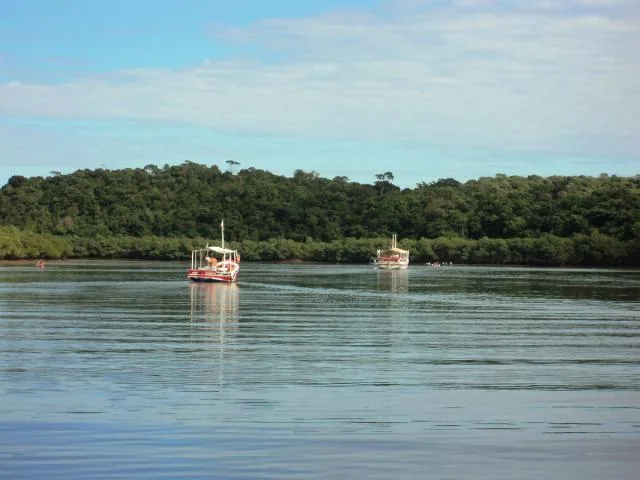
(214, 264)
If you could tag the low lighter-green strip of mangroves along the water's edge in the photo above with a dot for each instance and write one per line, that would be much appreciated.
(548, 250)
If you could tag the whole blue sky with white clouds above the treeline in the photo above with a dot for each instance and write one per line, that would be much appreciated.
(425, 89)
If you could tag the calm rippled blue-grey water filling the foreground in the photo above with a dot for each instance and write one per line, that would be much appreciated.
(126, 370)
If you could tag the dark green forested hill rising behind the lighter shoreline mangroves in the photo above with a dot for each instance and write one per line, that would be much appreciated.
(189, 200)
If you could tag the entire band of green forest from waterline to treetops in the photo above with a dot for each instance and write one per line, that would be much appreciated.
(155, 212)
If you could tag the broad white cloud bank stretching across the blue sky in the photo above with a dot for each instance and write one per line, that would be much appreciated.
(529, 76)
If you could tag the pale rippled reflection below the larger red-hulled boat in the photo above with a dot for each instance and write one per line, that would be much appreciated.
(214, 305)
